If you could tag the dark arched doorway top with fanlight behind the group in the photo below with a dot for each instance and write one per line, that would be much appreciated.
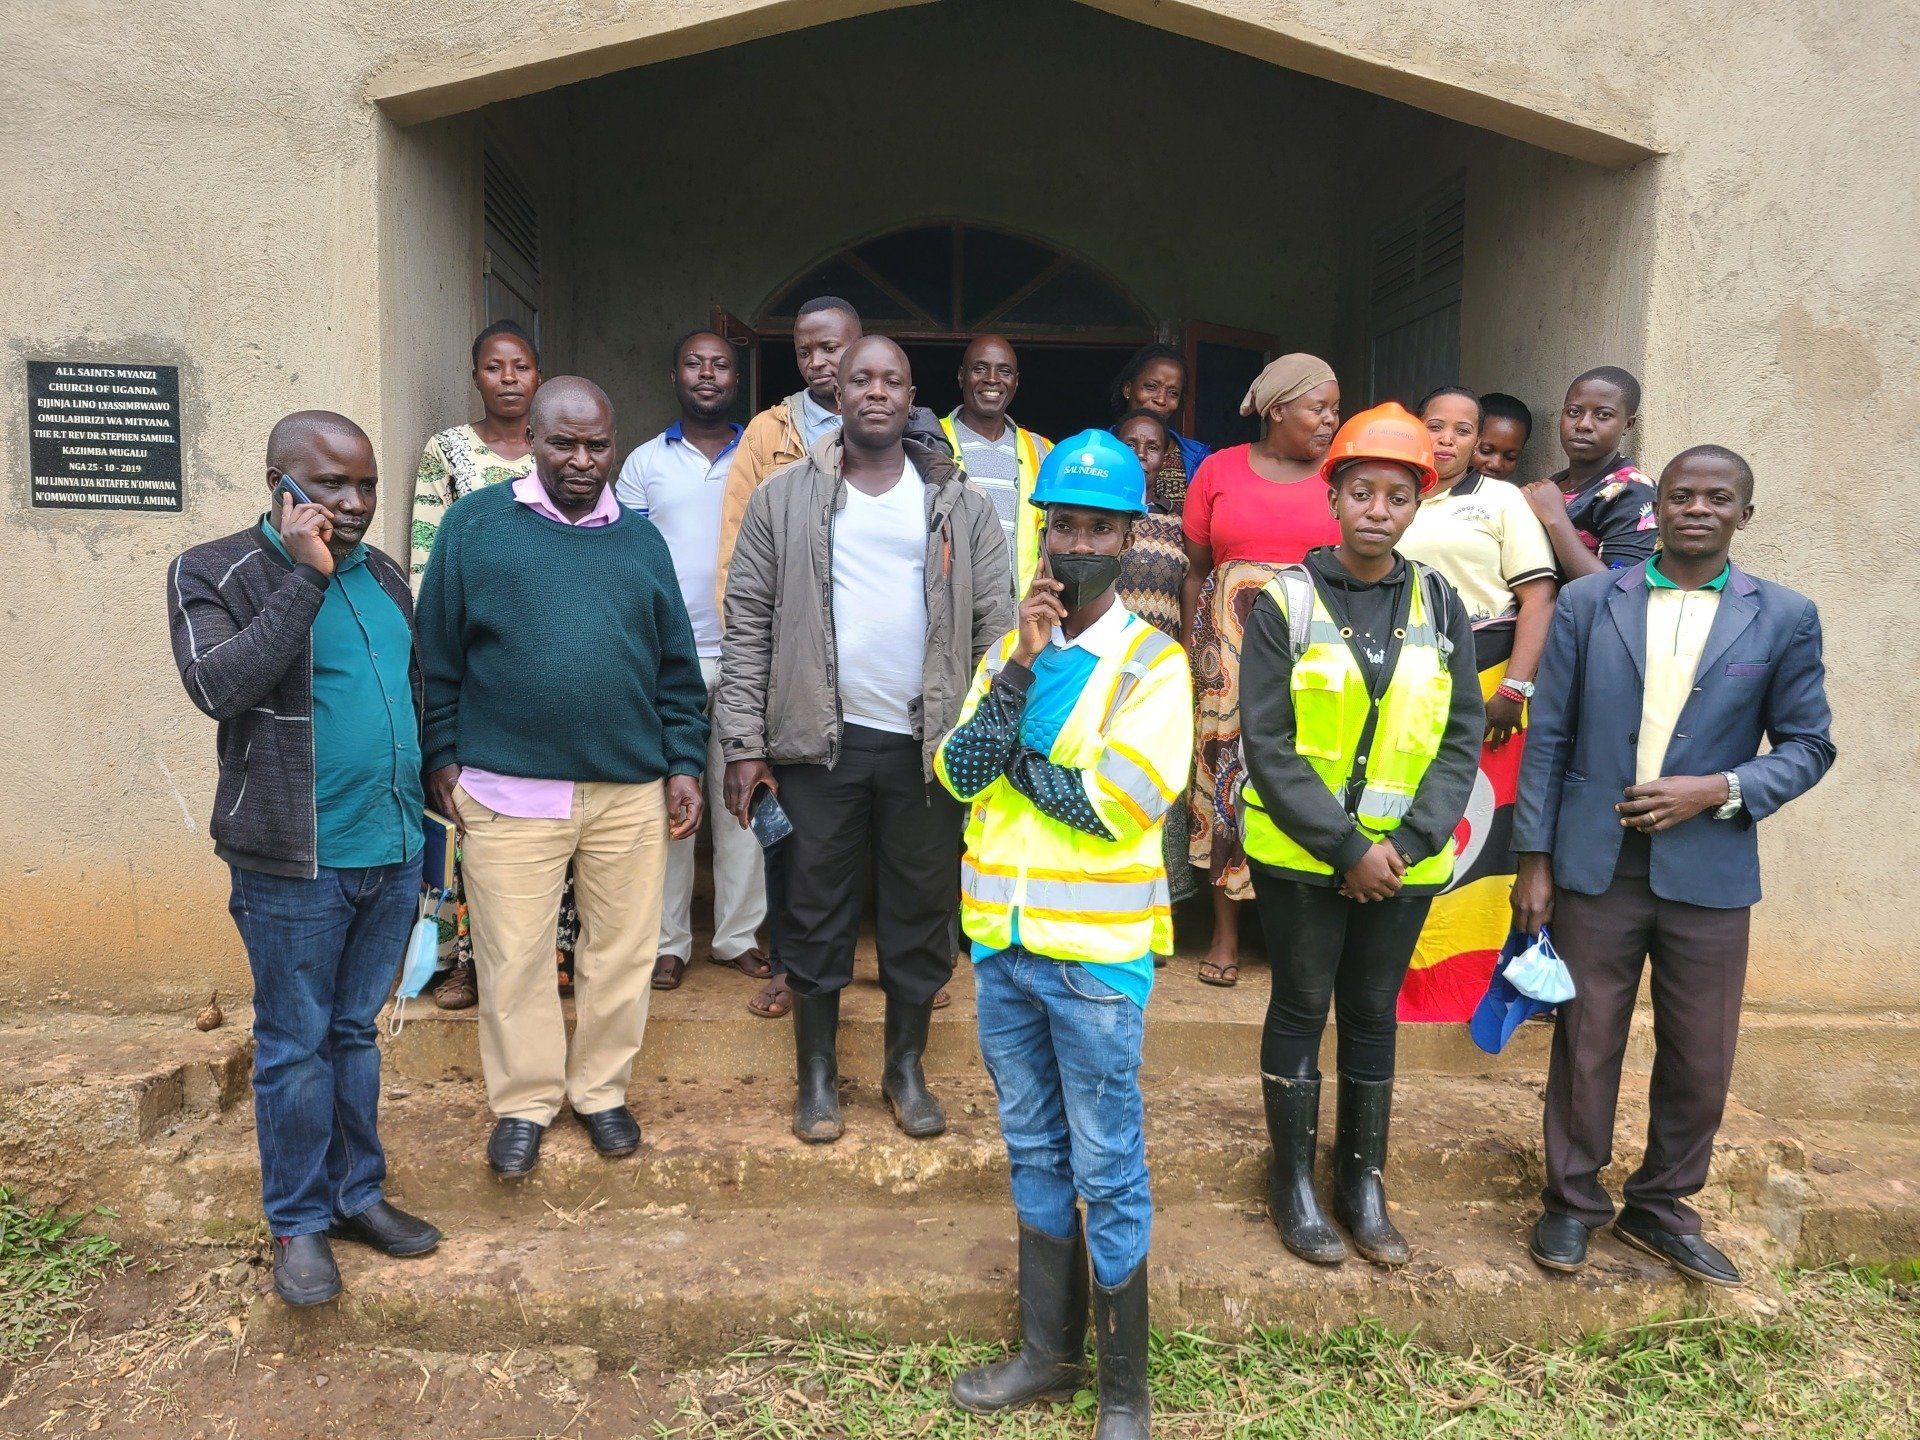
(938, 285)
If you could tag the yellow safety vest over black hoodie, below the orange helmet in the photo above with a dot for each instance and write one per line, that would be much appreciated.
(1332, 706)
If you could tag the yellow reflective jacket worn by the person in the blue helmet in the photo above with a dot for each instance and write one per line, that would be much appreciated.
(1076, 896)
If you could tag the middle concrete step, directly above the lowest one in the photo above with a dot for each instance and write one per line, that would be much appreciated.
(729, 1147)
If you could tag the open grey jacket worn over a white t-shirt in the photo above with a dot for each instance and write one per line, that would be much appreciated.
(779, 694)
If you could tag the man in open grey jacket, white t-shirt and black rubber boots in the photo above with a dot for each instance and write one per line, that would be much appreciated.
(867, 583)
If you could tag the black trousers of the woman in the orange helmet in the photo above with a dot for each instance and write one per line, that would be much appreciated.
(1324, 949)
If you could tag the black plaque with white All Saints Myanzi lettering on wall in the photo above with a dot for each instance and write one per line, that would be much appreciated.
(105, 437)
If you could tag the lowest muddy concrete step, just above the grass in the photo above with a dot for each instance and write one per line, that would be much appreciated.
(679, 1287)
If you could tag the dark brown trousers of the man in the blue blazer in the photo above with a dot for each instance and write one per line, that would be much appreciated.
(1700, 974)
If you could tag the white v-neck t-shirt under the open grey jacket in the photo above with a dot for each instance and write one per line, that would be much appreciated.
(880, 604)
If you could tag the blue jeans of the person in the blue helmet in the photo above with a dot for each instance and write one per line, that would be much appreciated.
(1065, 1055)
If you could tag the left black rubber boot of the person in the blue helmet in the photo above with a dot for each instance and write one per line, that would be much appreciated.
(1051, 1362)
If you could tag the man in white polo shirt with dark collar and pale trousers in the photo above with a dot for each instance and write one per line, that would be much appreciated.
(679, 481)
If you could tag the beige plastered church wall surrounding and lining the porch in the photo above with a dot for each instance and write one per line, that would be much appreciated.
(281, 203)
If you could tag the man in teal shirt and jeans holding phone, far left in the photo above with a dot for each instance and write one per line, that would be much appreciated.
(299, 638)
